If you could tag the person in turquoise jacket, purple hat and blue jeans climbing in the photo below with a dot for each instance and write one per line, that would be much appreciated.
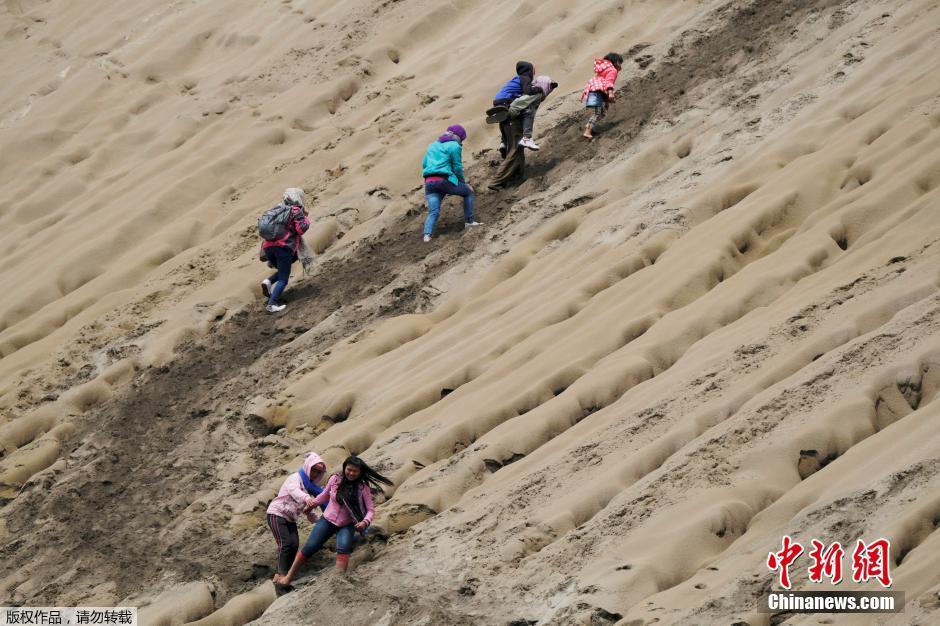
(442, 169)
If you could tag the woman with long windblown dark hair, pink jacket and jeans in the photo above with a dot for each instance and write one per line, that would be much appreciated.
(350, 510)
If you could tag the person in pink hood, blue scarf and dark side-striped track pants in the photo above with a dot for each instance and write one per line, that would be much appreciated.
(296, 494)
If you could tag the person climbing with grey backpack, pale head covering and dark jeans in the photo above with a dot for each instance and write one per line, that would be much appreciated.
(282, 229)
